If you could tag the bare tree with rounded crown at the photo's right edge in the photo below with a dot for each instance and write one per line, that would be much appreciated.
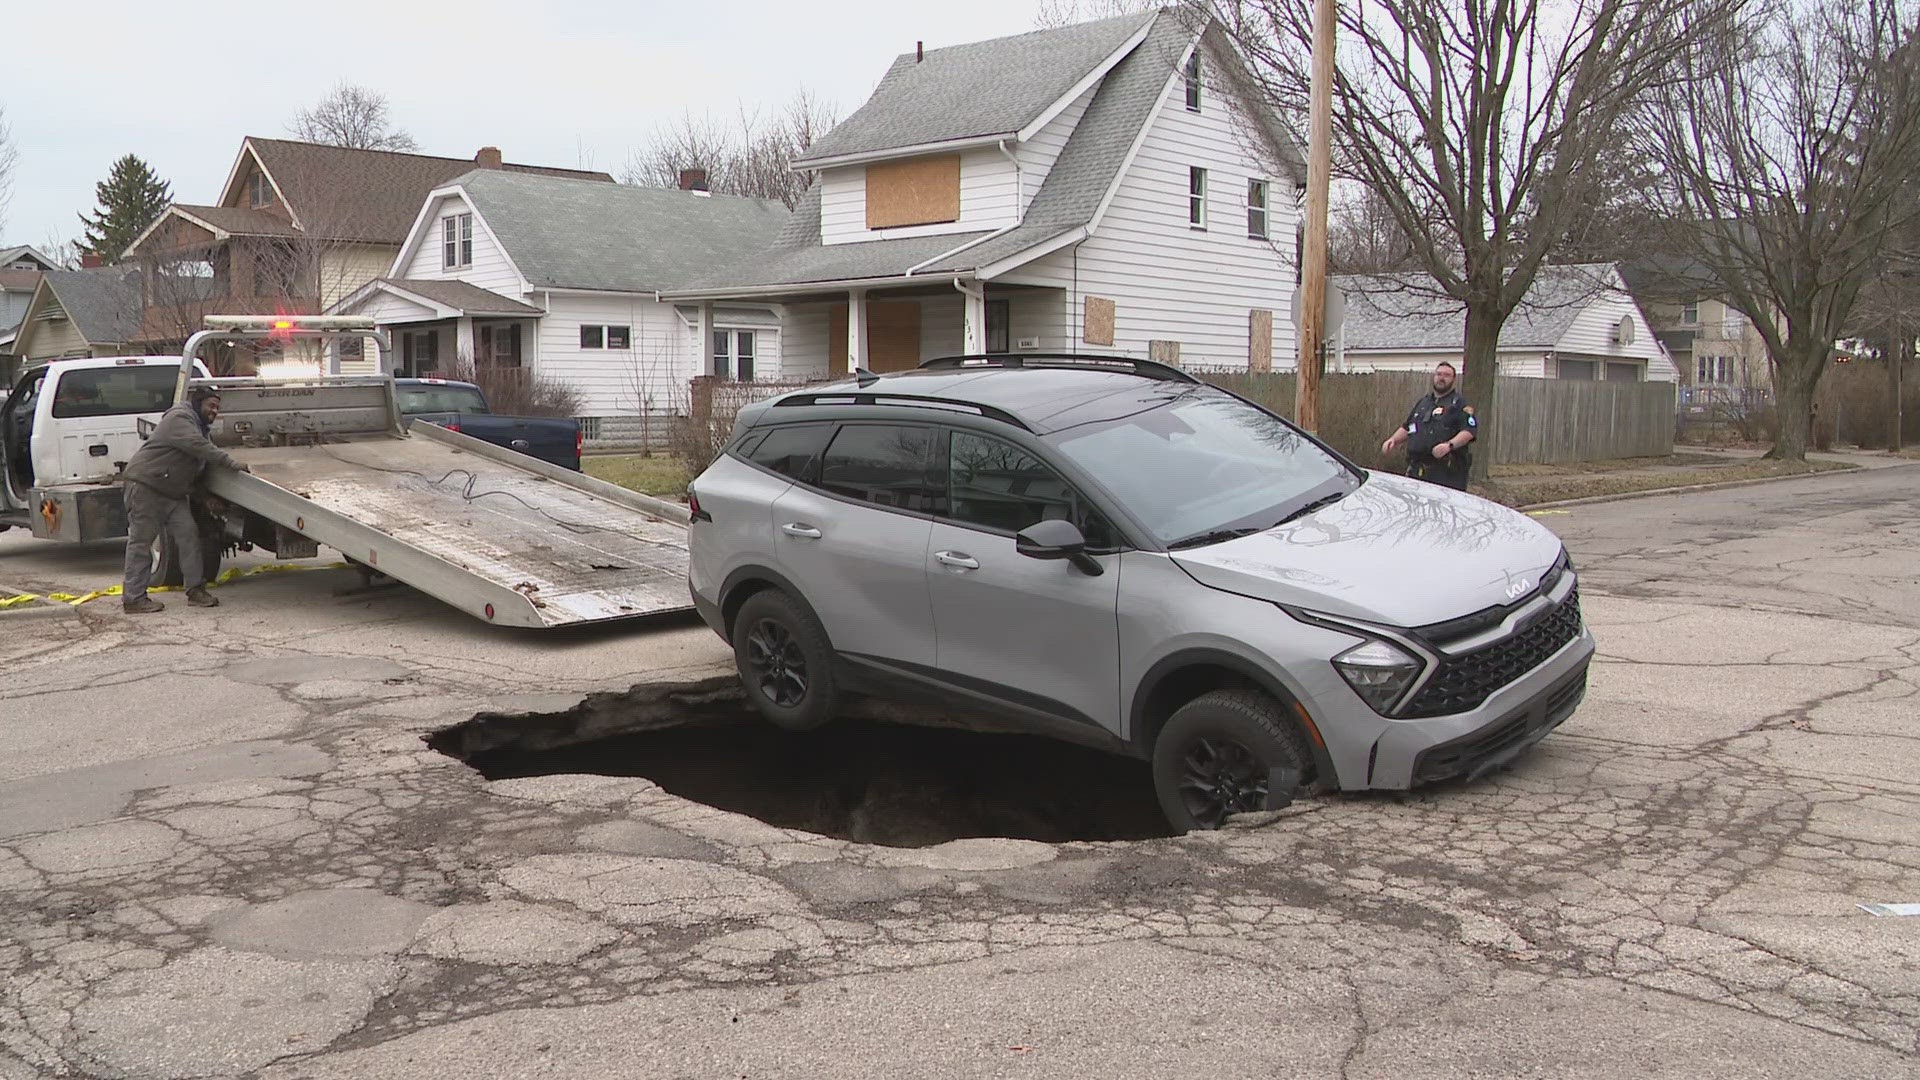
(1790, 145)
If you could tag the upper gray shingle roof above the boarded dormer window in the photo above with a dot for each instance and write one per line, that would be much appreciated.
(974, 91)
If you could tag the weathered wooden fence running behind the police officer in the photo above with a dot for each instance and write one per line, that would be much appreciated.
(1541, 422)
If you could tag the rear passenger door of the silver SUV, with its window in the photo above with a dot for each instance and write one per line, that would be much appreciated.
(855, 543)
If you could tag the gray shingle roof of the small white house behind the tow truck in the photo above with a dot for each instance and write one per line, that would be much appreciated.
(590, 235)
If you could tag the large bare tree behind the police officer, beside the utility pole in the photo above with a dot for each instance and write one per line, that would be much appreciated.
(1476, 124)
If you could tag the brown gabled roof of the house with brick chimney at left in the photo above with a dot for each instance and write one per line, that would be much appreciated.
(362, 195)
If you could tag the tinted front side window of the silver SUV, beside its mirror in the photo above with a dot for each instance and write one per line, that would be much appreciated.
(997, 485)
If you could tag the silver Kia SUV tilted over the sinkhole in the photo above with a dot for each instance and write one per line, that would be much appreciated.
(1118, 554)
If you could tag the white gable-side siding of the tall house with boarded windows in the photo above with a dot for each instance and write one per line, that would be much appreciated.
(1172, 282)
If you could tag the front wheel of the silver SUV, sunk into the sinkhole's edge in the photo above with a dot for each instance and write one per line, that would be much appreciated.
(1216, 754)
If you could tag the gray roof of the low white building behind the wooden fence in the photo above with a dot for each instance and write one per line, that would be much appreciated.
(1408, 312)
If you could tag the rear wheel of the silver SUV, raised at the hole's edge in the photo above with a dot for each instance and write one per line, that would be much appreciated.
(784, 662)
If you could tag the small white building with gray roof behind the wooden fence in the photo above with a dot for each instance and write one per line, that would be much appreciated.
(1577, 322)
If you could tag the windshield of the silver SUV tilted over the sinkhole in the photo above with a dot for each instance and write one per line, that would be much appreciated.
(1207, 464)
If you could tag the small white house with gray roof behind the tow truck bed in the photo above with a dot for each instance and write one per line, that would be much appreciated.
(564, 278)
